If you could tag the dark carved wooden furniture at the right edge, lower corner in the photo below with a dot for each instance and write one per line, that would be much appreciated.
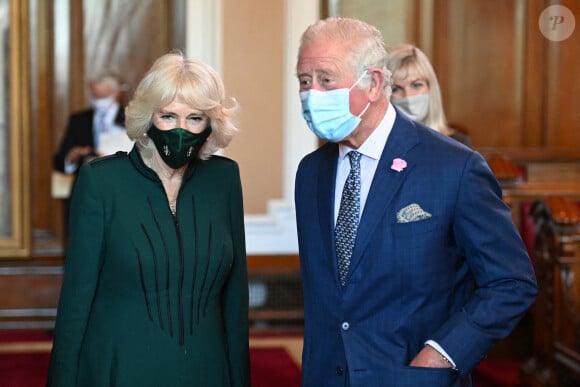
(556, 341)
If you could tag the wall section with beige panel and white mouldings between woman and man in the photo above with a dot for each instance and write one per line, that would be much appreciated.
(254, 45)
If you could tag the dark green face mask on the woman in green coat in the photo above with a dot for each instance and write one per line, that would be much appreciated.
(178, 146)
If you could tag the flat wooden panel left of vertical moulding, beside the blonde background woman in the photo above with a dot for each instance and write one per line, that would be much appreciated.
(478, 59)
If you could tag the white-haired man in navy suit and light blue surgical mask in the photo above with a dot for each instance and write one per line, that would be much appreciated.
(414, 270)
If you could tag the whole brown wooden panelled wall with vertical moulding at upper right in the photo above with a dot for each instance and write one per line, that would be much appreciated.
(501, 79)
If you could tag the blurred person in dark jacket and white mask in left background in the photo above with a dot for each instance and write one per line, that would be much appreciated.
(89, 133)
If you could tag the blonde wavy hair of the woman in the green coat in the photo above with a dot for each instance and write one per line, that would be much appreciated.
(172, 76)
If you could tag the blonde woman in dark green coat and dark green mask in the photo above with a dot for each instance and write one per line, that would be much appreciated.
(155, 290)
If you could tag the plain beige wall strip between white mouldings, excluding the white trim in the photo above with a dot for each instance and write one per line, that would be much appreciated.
(252, 62)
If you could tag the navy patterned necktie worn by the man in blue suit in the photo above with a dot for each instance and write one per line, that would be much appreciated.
(348, 217)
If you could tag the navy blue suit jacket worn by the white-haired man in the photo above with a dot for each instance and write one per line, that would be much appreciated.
(461, 277)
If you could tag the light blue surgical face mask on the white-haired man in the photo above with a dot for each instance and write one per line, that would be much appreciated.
(327, 113)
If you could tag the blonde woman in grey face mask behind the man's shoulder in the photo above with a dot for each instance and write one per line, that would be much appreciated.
(416, 90)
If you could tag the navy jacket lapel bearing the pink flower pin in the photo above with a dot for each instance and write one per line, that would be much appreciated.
(386, 183)
